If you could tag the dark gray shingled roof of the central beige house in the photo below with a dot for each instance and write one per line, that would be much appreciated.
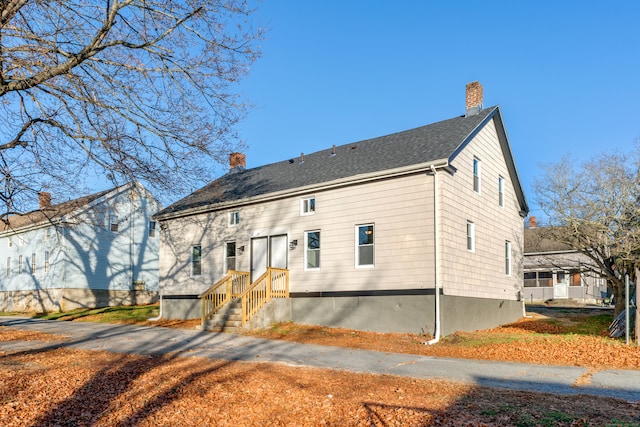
(434, 142)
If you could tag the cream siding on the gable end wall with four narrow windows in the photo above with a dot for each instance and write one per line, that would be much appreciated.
(481, 273)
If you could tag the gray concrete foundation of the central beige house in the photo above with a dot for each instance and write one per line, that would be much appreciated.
(399, 313)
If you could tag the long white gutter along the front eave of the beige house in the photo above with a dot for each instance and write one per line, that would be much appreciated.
(330, 185)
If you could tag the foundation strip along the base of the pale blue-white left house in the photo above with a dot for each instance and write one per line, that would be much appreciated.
(44, 300)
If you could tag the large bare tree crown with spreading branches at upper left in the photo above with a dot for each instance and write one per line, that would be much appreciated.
(129, 89)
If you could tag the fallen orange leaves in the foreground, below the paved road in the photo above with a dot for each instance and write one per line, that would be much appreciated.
(89, 388)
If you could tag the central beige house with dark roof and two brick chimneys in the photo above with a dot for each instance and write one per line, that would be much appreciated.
(398, 233)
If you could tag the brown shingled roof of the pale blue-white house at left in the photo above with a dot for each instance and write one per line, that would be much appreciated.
(49, 214)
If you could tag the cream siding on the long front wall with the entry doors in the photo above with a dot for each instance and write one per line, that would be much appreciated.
(401, 210)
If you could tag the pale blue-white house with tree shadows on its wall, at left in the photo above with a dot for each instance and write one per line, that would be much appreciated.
(94, 251)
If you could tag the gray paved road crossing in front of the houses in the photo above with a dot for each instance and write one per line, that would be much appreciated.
(624, 384)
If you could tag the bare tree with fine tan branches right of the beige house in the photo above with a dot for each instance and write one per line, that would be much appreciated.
(594, 208)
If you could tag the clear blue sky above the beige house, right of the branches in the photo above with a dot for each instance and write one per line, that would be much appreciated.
(565, 74)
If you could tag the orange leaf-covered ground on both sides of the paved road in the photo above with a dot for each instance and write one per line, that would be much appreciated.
(64, 387)
